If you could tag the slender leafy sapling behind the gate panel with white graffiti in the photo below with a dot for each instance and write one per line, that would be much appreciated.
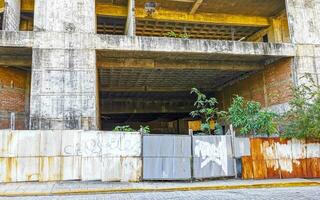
(205, 109)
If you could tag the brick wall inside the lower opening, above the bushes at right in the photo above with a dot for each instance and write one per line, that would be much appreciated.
(271, 86)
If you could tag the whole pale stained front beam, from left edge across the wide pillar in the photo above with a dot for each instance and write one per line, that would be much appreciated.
(156, 45)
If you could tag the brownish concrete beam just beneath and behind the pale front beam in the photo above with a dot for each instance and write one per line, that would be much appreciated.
(177, 64)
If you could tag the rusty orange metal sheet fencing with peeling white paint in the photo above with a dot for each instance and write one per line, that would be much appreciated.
(277, 158)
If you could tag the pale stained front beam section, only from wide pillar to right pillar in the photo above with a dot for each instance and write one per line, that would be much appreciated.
(194, 47)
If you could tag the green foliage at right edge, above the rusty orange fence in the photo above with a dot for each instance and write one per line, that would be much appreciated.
(303, 118)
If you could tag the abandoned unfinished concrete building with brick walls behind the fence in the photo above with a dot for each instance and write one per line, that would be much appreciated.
(95, 64)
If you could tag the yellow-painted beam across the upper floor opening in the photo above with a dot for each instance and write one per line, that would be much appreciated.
(169, 15)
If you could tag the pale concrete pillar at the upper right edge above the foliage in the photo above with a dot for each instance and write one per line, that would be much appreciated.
(304, 25)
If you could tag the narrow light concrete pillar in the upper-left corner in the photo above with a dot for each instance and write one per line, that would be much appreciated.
(11, 16)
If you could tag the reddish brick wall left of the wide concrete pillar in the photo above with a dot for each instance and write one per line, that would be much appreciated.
(14, 95)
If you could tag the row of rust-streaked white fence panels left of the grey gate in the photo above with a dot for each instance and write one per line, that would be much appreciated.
(69, 155)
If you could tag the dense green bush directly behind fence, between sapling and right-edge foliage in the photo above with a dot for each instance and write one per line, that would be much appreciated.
(249, 118)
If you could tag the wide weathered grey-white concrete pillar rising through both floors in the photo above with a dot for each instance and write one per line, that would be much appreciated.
(64, 91)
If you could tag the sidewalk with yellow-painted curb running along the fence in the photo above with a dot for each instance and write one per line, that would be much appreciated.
(74, 187)
